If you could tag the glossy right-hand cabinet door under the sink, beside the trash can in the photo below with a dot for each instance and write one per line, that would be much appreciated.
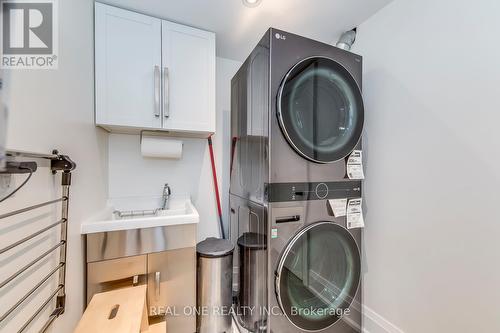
(172, 288)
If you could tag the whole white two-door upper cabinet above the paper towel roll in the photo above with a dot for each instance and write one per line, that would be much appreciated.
(153, 74)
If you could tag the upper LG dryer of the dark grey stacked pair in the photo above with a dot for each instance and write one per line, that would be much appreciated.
(296, 113)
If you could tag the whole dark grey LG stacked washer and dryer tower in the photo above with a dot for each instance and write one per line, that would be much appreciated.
(296, 116)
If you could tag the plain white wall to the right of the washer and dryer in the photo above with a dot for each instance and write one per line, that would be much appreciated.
(431, 87)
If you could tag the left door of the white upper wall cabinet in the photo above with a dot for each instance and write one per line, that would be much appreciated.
(128, 63)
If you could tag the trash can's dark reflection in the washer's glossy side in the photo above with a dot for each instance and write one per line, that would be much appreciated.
(252, 298)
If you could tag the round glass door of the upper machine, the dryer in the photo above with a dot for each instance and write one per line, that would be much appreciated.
(320, 110)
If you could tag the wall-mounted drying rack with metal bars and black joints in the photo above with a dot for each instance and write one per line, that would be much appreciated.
(58, 163)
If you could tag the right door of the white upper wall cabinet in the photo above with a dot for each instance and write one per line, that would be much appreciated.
(189, 78)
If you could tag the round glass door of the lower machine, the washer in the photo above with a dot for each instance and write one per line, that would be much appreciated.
(318, 276)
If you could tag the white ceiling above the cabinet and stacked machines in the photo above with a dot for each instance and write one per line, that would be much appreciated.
(239, 28)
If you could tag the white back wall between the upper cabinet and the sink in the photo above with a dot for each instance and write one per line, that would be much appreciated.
(131, 175)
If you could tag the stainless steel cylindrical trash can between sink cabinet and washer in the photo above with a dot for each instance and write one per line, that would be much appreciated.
(214, 285)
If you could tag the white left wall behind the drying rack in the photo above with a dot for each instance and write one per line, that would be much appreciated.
(55, 109)
